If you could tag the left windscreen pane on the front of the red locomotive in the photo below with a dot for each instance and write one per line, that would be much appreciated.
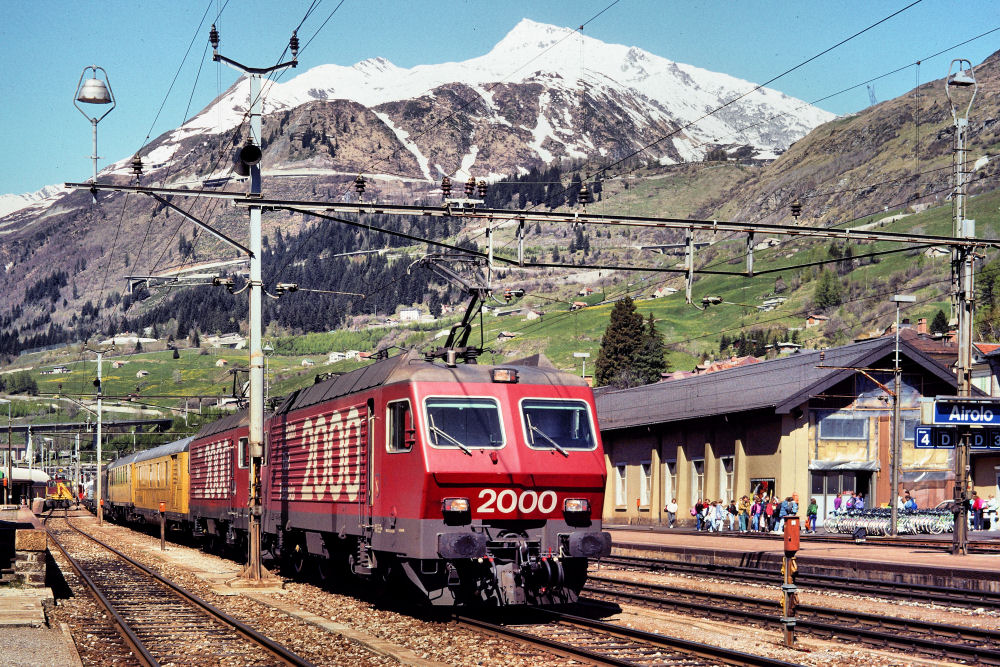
(464, 423)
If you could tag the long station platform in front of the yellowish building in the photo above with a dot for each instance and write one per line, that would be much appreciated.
(882, 562)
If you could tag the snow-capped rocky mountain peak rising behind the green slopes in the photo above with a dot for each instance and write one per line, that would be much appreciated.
(543, 93)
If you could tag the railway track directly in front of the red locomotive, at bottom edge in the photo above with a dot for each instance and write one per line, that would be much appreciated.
(596, 642)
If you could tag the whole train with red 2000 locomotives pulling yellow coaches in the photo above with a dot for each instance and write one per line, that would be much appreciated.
(476, 484)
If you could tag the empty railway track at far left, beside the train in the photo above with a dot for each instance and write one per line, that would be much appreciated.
(160, 622)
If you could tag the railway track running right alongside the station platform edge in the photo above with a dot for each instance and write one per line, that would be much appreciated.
(941, 595)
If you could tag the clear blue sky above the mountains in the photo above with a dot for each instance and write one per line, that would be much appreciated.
(46, 45)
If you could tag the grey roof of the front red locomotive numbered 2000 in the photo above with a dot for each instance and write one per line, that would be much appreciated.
(412, 367)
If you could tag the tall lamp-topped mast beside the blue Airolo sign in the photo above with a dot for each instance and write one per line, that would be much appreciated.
(962, 260)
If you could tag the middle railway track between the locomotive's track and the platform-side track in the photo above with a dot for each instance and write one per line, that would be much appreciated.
(933, 640)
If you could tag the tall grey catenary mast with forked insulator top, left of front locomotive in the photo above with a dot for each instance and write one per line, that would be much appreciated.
(249, 162)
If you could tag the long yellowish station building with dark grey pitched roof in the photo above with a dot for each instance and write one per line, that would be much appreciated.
(804, 423)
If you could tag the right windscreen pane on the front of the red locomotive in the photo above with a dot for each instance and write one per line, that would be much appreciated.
(557, 424)
